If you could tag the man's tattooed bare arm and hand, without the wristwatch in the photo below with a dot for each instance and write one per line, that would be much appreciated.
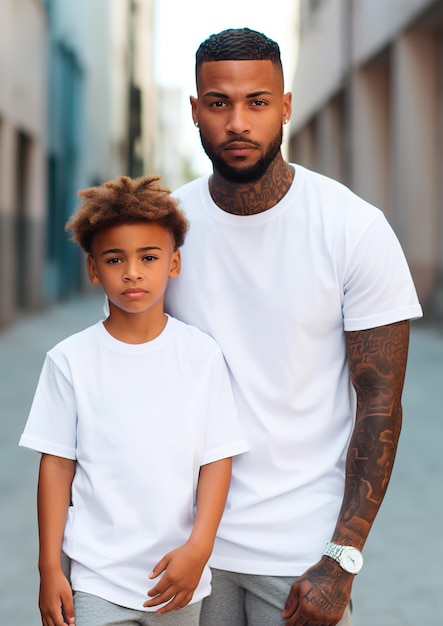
(377, 362)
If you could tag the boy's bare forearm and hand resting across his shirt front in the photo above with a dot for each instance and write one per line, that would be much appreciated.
(182, 568)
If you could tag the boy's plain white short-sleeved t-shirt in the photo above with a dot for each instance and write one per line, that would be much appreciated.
(139, 420)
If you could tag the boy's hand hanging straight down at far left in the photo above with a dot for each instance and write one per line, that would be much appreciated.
(55, 602)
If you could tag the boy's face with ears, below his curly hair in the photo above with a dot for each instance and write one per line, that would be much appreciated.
(133, 263)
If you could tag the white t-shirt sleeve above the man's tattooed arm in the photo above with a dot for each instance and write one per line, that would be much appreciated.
(378, 287)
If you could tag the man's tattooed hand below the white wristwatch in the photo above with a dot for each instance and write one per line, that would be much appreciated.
(320, 596)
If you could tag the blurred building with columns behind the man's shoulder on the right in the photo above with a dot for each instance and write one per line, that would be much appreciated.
(368, 110)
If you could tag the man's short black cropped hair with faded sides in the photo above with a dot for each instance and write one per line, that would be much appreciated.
(238, 44)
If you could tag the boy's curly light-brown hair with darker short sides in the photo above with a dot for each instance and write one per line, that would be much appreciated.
(126, 201)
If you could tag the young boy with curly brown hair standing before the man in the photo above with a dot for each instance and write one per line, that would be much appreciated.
(136, 423)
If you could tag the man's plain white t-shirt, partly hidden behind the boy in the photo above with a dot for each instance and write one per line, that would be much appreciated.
(277, 290)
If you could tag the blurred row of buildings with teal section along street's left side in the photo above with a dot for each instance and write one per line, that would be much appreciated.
(77, 107)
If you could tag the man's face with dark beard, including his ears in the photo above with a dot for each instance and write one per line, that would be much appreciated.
(240, 110)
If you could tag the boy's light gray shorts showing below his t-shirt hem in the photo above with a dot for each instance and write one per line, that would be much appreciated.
(91, 610)
